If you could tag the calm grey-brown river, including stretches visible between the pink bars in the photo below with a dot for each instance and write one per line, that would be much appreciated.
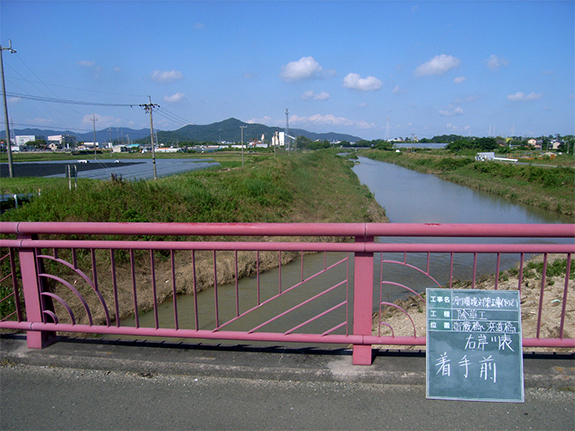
(408, 197)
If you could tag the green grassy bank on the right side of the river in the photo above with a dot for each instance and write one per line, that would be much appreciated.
(548, 187)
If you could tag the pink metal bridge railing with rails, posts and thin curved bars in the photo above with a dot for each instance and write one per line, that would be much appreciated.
(21, 238)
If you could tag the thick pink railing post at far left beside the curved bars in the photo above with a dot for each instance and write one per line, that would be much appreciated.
(32, 299)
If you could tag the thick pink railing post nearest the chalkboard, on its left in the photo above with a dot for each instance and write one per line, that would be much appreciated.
(362, 302)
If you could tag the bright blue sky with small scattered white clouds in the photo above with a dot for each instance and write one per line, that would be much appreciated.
(475, 68)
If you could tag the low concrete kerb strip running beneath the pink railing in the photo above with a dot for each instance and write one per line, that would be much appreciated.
(249, 361)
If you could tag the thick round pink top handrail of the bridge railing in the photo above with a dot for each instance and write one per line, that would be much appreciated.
(295, 229)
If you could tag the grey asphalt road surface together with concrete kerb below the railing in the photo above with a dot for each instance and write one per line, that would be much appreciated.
(102, 385)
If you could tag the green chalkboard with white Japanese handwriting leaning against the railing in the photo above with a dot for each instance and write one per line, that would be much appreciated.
(474, 345)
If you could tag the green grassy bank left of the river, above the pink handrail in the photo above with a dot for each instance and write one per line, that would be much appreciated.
(311, 187)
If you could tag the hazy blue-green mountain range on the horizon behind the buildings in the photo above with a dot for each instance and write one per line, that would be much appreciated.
(223, 131)
